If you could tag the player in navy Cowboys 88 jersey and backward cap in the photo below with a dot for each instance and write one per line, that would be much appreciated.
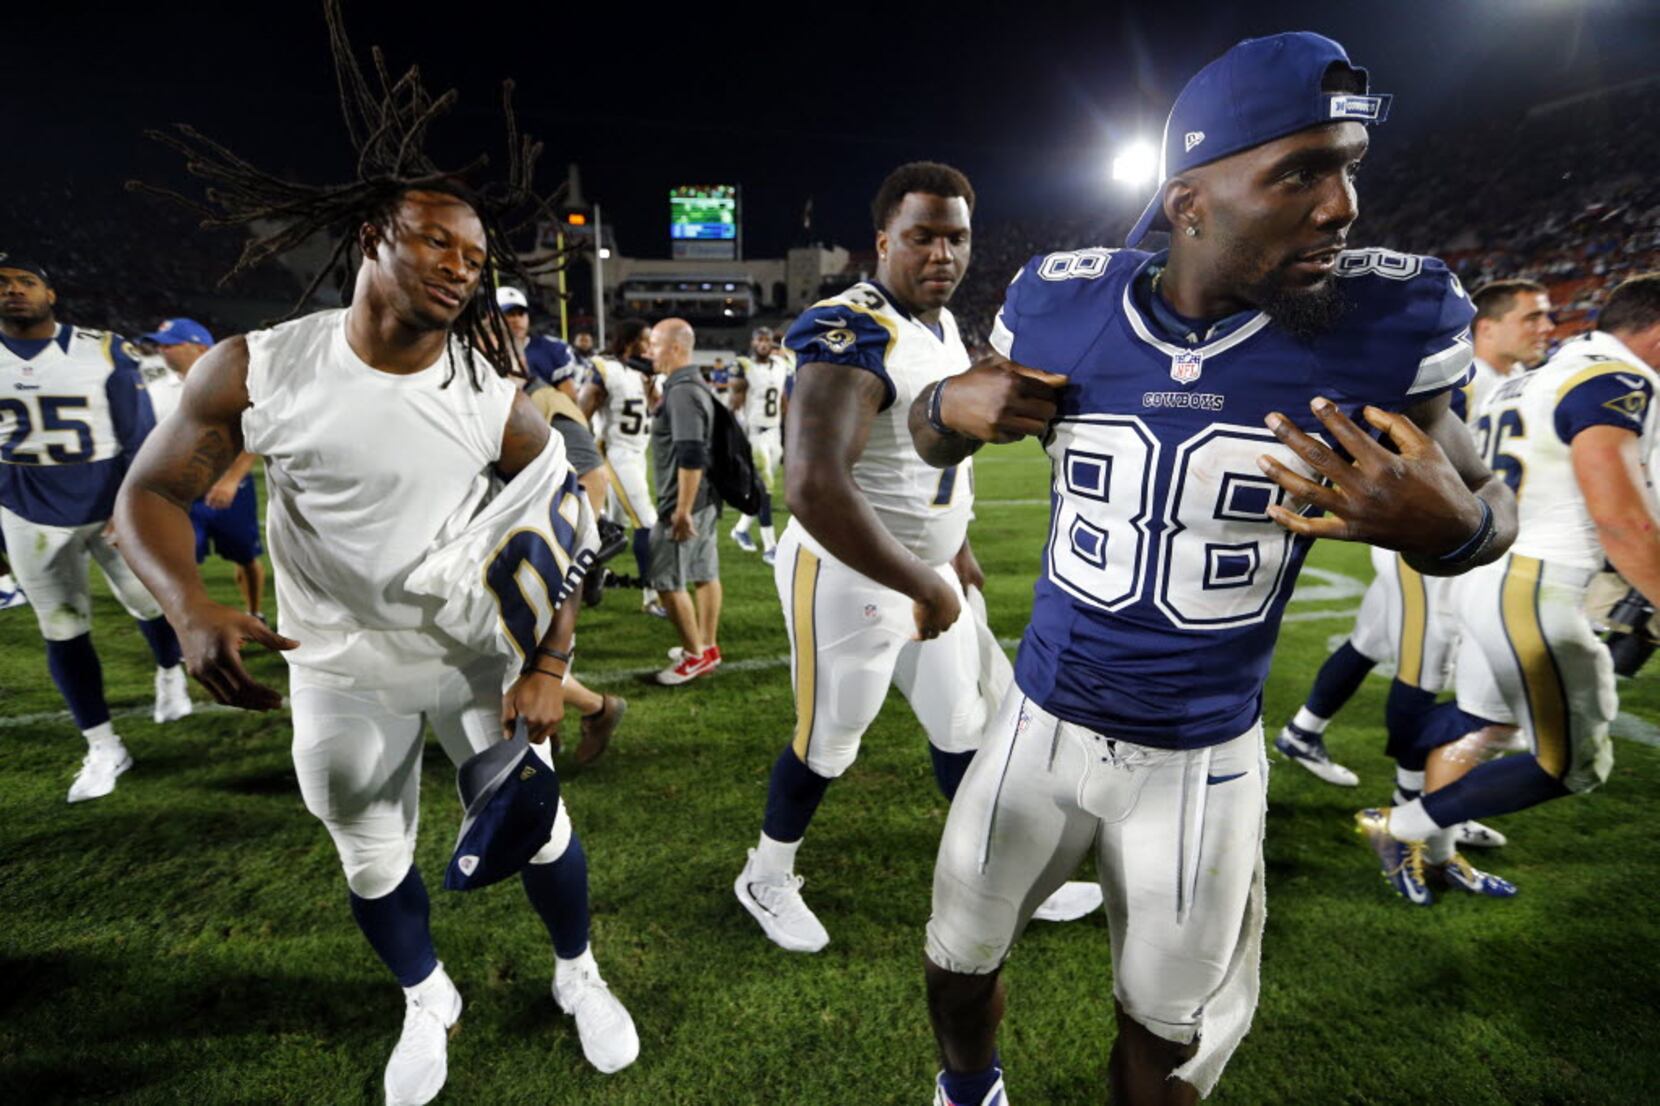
(1213, 396)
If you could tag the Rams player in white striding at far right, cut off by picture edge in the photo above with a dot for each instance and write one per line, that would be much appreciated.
(1575, 439)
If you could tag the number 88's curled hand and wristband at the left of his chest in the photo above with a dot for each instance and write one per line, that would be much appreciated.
(994, 401)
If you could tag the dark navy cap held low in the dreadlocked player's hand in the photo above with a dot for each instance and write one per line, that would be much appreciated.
(512, 798)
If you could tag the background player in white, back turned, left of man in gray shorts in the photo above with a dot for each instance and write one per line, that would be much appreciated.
(620, 398)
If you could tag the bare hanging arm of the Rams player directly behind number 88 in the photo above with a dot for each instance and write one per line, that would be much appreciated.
(829, 424)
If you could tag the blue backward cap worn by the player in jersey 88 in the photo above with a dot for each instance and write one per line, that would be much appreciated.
(1261, 91)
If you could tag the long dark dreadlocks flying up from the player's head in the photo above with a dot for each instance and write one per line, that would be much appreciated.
(388, 122)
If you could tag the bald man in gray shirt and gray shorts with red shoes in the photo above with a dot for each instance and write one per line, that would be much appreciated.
(683, 541)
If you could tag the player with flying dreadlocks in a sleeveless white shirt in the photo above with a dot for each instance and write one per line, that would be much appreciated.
(373, 443)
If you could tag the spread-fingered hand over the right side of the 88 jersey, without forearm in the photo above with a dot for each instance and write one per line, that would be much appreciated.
(1413, 501)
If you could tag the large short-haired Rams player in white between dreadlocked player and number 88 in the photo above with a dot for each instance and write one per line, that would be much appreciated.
(874, 564)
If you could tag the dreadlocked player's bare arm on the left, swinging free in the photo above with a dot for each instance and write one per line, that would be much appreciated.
(180, 461)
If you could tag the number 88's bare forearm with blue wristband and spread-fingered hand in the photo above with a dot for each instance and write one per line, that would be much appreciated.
(1430, 497)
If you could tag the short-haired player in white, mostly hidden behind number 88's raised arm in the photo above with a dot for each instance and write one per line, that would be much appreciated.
(1407, 617)
